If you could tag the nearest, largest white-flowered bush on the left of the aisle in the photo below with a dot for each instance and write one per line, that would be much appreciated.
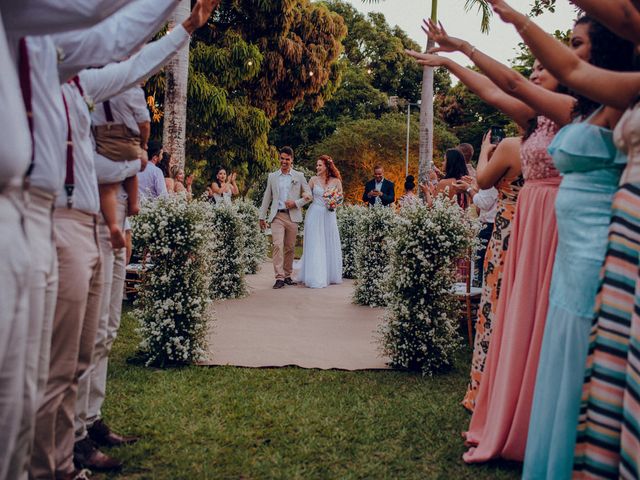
(172, 304)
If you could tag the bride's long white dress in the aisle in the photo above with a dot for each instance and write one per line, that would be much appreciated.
(321, 263)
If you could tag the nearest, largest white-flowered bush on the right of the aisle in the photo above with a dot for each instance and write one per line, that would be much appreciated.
(420, 329)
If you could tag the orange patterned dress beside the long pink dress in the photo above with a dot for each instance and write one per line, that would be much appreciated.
(508, 191)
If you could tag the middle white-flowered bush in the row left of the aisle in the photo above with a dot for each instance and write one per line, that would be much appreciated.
(228, 256)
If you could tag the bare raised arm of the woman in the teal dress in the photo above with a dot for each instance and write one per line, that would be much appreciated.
(556, 106)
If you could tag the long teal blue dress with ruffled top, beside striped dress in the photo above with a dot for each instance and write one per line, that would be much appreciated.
(586, 156)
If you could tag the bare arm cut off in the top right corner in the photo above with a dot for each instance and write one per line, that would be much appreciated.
(619, 16)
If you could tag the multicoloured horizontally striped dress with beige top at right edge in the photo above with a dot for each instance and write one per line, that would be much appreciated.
(608, 442)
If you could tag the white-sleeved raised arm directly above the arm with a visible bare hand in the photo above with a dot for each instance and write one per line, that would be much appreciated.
(114, 39)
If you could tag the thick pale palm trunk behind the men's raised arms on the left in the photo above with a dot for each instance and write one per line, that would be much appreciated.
(175, 98)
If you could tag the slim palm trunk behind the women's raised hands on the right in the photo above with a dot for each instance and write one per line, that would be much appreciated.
(426, 112)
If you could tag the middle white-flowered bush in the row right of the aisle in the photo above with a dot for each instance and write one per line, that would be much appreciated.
(375, 230)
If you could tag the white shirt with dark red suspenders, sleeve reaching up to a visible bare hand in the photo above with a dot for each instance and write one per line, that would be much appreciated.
(99, 85)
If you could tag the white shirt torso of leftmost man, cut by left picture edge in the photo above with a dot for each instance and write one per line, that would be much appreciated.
(15, 149)
